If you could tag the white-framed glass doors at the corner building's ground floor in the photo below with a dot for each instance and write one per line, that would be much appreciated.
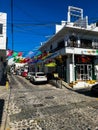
(83, 71)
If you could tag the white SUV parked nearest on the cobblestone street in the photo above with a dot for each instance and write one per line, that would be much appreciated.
(38, 77)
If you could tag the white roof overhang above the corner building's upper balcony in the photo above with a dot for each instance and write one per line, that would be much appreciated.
(69, 30)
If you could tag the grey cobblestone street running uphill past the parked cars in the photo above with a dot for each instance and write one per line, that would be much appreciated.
(45, 107)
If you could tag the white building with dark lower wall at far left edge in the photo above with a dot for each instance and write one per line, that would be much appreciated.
(3, 47)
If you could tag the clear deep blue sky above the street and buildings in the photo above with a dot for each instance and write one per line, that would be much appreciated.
(34, 20)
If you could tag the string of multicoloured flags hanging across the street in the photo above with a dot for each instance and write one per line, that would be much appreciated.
(31, 57)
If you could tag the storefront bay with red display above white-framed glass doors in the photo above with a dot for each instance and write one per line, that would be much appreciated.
(84, 68)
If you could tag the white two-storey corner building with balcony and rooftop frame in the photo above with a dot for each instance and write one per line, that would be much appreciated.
(75, 48)
